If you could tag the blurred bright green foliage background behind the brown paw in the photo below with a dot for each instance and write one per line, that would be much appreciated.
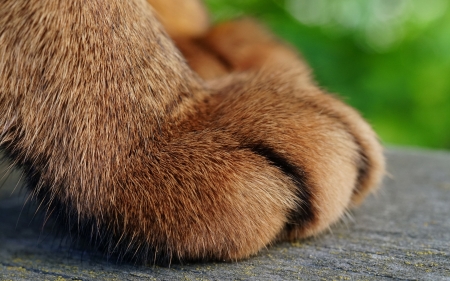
(388, 58)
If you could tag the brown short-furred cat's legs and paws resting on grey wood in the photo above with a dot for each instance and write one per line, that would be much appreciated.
(115, 131)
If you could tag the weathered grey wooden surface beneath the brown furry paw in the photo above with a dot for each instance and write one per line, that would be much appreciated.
(403, 233)
